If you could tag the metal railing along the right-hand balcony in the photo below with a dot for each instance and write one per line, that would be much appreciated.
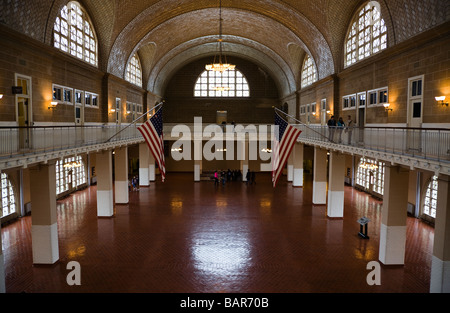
(424, 143)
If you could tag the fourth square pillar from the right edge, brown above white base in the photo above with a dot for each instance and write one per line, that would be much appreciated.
(320, 176)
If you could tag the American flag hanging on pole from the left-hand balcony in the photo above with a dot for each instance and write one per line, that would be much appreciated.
(152, 130)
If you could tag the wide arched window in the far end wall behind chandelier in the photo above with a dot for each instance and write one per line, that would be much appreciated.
(231, 83)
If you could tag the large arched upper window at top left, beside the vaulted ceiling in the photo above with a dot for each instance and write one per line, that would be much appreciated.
(73, 33)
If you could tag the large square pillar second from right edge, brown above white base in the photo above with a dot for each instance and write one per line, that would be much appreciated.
(393, 216)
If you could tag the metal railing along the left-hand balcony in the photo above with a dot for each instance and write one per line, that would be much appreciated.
(17, 141)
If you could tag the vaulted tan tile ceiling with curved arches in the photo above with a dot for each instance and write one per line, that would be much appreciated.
(275, 34)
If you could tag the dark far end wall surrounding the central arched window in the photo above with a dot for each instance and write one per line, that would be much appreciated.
(182, 107)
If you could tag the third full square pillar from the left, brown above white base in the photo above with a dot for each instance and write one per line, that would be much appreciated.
(121, 175)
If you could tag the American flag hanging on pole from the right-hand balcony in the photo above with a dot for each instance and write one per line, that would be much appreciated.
(285, 138)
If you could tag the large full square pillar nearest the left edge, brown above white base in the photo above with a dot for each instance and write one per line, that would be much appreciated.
(44, 228)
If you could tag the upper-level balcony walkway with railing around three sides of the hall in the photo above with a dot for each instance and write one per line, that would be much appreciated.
(423, 148)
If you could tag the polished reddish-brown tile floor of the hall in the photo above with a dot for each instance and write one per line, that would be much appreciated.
(185, 237)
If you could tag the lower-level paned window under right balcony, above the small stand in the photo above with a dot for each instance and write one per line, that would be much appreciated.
(370, 175)
